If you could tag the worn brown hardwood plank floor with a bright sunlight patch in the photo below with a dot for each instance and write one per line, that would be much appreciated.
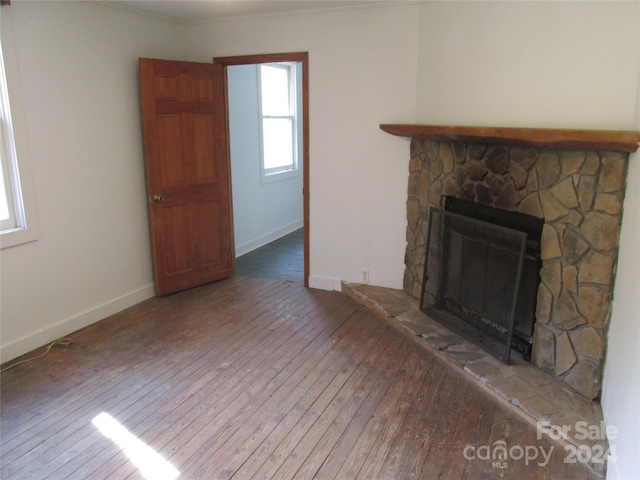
(255, 378)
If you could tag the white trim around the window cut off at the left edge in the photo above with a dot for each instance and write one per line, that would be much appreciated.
(16, 152)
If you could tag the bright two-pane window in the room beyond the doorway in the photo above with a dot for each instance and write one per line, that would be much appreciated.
(278, 114)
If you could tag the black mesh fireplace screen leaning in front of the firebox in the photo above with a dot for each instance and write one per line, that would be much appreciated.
(473, 274)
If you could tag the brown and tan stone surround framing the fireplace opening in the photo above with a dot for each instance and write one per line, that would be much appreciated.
(579, 195)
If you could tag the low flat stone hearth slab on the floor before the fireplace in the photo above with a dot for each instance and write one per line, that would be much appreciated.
(535, 395)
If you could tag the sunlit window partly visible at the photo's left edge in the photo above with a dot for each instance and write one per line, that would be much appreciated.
(13, 213)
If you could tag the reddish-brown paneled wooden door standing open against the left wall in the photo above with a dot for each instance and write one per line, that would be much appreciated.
(188, 173)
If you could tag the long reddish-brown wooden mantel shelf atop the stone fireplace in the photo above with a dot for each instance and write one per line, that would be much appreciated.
(552, 139)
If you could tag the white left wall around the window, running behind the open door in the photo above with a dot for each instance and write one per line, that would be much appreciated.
(72, 68)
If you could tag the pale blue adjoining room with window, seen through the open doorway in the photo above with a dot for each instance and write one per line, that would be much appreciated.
(267, 202)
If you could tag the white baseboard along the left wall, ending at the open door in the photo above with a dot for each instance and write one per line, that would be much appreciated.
(48, 334)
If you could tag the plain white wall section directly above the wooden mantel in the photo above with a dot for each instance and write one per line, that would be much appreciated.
(531, 64)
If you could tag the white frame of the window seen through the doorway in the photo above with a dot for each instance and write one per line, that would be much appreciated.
(290, 170)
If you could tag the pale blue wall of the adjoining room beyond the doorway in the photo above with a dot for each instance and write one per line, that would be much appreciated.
(262, 212)
